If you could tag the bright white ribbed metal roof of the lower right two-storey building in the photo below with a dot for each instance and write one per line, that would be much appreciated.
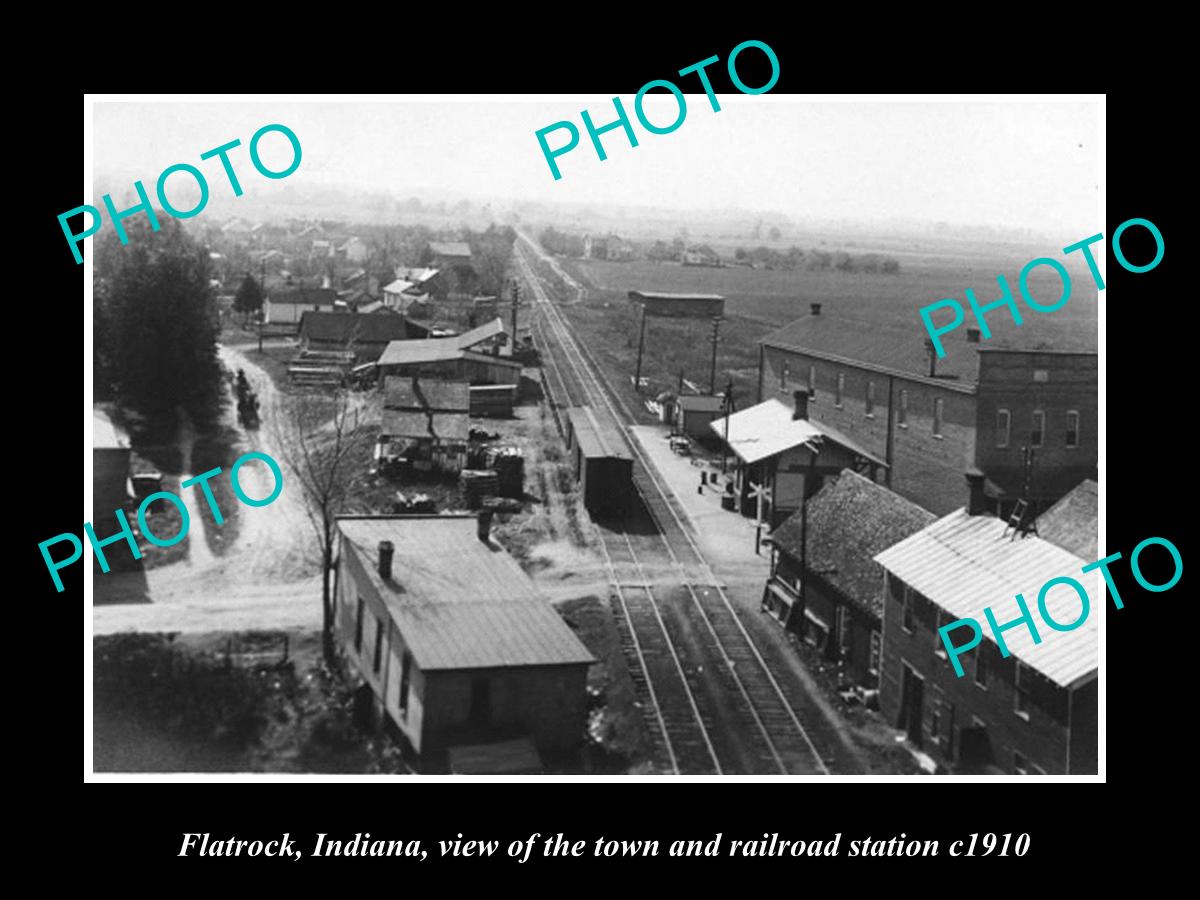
(964, 563)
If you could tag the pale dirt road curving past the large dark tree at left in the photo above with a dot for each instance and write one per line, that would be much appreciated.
(269, 579)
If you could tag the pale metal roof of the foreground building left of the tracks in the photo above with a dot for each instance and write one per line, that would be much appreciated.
(459, 603)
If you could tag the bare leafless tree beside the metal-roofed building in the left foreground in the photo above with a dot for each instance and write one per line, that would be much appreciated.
(322, 442)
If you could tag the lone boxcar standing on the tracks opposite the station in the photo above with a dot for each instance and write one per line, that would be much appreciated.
(602, 463)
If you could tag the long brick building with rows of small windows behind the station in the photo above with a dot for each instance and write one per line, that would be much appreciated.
(932, 419)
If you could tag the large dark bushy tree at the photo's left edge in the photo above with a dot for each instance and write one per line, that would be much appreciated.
(159, 321)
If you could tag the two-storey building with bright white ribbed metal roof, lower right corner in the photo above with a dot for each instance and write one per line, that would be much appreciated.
(1035, 712)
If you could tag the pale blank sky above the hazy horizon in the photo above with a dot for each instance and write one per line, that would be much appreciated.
(1021, 165)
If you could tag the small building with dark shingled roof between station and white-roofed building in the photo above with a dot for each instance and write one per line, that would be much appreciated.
(824, 581)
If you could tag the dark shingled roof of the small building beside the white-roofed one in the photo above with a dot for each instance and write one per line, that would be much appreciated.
(851, 519)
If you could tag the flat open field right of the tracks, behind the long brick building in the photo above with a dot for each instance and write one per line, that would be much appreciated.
(760, 301)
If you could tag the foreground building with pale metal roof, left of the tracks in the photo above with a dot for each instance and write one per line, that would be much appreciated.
(453, 643)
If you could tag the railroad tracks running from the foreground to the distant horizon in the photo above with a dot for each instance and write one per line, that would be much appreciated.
(711, 700)
